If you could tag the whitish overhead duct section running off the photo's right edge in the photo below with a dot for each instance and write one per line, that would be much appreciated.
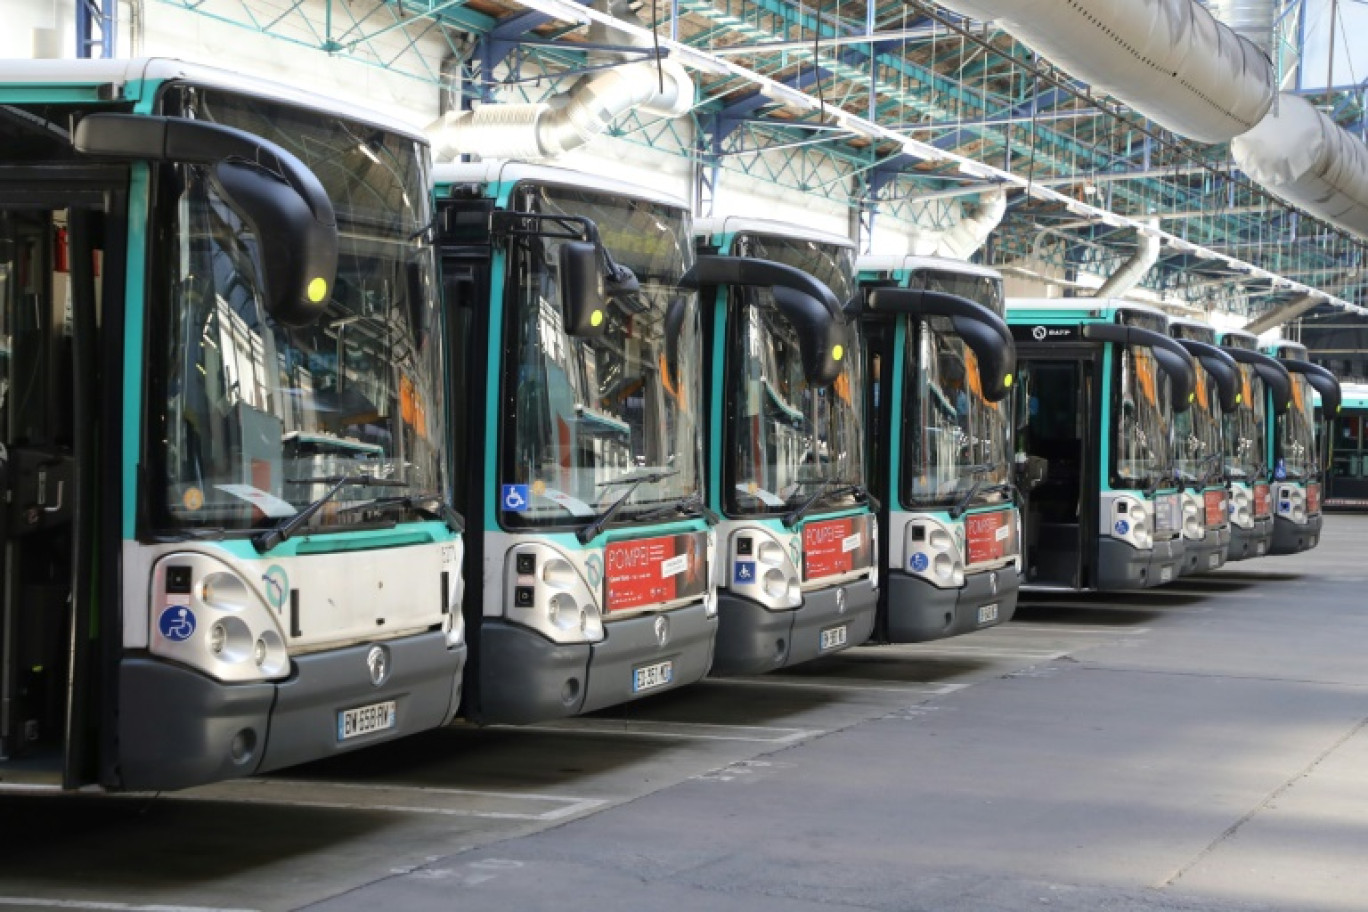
(1304, 158)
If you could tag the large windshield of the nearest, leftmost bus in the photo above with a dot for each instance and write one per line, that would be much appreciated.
(256, 420)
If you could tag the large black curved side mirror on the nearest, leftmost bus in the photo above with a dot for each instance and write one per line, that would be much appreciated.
(276, 193)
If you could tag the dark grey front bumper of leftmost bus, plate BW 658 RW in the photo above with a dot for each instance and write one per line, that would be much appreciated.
(180, 728)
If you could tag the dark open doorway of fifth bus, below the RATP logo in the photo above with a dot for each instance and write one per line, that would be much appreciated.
(1058, 430)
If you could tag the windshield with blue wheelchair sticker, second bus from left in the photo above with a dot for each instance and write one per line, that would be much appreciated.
(590, 420)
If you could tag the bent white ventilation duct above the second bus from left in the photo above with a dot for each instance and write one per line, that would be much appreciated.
(548, 129)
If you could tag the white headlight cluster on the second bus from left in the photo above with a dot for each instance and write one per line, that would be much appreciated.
(549, 594)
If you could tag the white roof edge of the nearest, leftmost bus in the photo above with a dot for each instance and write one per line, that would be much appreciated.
(158, 70)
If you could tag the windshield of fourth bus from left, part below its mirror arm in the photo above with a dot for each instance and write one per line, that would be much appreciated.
(954, 440)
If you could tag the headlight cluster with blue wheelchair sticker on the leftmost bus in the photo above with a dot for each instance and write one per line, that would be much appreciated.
(209, 617)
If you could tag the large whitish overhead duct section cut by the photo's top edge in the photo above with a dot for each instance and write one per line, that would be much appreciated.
(1168, 59)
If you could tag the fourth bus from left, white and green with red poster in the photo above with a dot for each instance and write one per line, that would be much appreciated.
(940, 363)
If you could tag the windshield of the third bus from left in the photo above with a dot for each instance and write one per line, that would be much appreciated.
(786, 437)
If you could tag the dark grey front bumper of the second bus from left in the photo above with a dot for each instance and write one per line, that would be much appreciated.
(525, 678)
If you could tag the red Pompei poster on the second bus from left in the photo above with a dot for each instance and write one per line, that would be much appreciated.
(656, 571)
